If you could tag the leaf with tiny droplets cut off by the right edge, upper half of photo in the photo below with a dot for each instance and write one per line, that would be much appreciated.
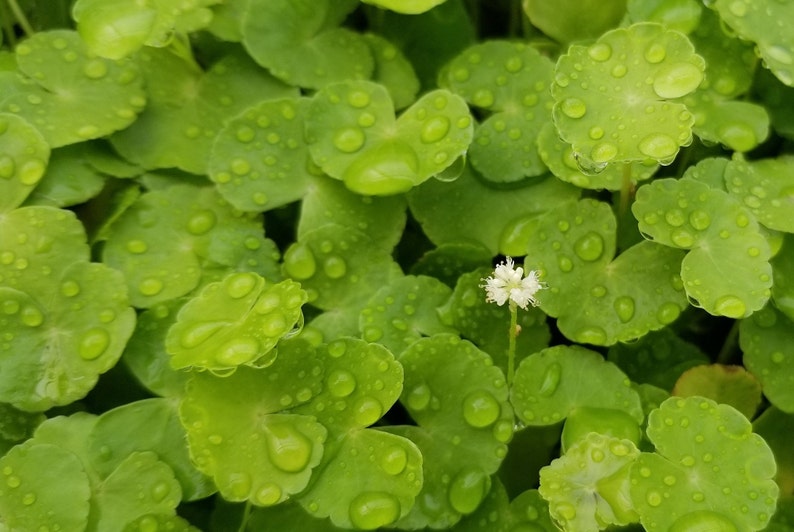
(766, 188)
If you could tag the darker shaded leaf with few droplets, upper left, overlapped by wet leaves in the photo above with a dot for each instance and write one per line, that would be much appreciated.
(188, 107)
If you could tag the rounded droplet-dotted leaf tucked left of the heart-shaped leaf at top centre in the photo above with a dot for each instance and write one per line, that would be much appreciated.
(259, 160)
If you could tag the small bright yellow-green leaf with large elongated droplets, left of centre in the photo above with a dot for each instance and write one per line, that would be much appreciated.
(233, 322)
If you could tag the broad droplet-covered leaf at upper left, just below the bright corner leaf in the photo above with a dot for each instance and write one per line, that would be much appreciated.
(69, 94)
